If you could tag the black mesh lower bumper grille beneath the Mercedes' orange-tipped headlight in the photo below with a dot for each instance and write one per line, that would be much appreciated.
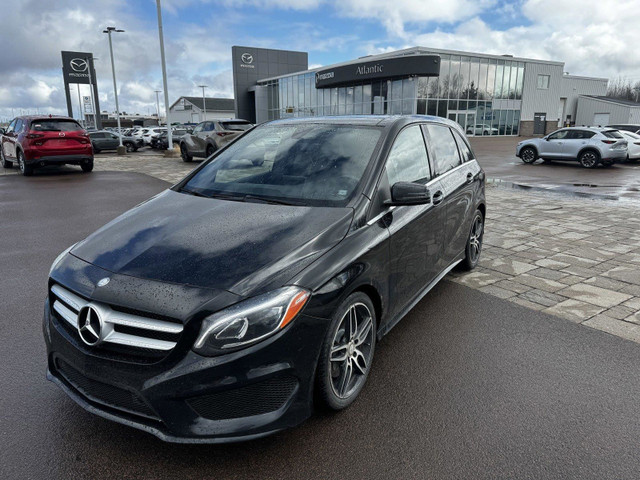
(256, 399)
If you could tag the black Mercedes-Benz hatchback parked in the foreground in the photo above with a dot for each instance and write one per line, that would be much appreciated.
(229, 305)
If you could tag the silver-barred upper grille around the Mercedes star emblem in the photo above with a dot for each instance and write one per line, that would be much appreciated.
(121, 332)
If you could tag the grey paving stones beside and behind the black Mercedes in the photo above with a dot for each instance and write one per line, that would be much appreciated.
(573, 257)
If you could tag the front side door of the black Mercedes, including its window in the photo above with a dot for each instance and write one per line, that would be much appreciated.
(415, 231)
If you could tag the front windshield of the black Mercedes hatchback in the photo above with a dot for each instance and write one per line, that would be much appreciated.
(311, 164)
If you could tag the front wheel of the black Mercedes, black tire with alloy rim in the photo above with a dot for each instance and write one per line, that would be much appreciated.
(335, 388)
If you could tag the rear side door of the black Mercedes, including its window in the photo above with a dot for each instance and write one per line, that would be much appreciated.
(458, 174)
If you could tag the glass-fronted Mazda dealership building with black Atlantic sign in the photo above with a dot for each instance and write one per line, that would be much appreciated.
(485, 94)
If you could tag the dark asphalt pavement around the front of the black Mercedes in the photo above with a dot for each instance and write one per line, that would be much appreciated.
(466, 386)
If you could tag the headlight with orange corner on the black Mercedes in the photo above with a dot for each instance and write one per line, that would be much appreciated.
(250, 321)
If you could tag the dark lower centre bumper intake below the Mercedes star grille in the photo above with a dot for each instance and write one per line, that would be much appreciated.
(104, 394)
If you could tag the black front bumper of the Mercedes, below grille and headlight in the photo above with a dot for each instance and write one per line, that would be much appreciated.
(189, 398)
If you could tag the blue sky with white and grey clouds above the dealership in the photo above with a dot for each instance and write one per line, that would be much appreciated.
(593, 37)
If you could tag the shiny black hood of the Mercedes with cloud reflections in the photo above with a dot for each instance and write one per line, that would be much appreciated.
(236, 246)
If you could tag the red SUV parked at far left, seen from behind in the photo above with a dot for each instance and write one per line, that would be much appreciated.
(36, 141)
